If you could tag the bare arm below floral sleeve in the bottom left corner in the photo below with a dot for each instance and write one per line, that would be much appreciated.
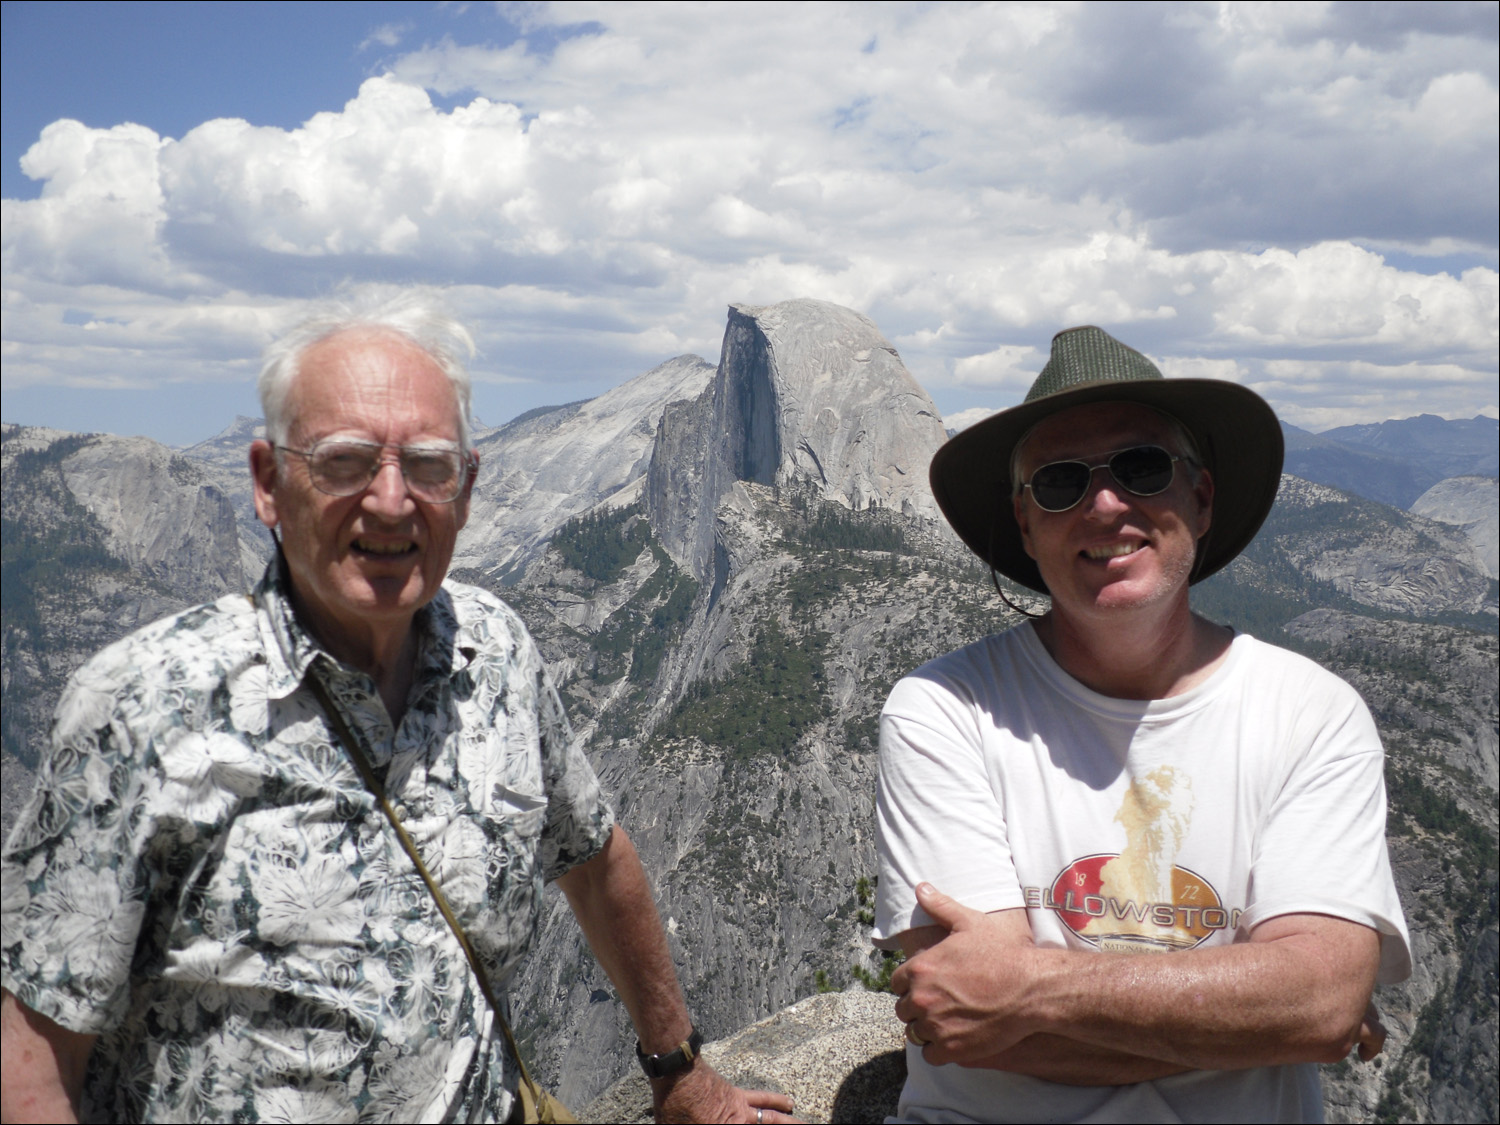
(41, 1066)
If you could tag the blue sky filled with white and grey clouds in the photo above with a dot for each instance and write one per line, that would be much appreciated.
(1295, 197)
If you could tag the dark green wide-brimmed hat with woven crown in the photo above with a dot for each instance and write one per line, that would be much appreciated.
(1238, 437)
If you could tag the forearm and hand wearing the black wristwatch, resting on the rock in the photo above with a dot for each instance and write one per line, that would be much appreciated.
(613, 901)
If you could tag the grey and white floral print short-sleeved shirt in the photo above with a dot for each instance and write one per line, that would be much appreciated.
(203, 880)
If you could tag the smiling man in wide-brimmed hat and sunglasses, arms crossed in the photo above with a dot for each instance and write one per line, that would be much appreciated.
(1136, 862)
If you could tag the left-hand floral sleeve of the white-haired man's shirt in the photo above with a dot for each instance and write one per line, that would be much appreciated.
(76, 868)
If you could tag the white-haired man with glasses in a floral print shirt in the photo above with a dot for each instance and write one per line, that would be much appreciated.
(209, 913)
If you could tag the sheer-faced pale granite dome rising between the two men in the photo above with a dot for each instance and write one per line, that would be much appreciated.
(806, 394)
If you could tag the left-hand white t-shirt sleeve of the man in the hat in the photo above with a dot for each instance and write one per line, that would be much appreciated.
(938, 817)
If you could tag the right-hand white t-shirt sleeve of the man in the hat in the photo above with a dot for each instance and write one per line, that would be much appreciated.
(1322, 842)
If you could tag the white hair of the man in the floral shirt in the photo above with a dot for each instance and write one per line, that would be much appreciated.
(416, 314)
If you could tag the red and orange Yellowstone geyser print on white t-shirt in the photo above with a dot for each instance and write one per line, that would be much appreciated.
(1141, 901)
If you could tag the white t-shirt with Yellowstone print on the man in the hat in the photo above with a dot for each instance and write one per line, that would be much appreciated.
(1132, 827)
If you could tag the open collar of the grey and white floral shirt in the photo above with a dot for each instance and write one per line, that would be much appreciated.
(445, 647)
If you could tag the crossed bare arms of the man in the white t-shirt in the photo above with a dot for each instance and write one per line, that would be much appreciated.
(986, 997)
